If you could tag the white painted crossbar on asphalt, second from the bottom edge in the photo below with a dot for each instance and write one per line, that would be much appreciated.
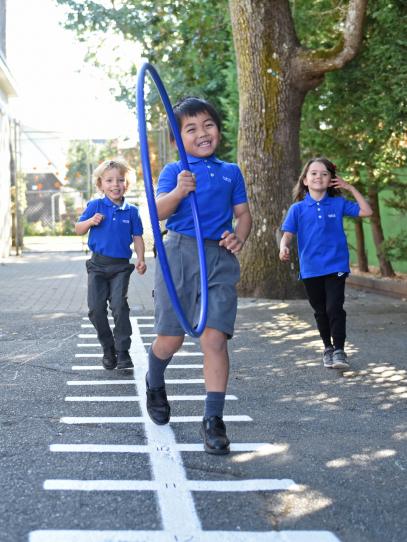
(155, 485)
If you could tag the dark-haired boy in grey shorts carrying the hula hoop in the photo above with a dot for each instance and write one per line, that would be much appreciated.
(221, 197)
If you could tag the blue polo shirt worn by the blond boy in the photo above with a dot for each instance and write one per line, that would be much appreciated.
(114, 235)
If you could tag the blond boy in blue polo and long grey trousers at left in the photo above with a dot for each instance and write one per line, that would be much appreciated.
(113, 225)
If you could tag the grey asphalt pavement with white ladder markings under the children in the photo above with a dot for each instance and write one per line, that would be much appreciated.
(322, 452)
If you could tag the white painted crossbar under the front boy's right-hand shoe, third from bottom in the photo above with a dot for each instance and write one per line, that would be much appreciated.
(144, 449)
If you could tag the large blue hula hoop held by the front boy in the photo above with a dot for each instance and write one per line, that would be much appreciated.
(148, 182)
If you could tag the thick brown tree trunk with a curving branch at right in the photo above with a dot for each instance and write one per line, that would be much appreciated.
(275, 72)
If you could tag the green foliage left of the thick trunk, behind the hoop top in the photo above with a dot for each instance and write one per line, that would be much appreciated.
(189, 43)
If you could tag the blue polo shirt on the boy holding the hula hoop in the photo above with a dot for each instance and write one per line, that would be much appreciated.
(219, 187)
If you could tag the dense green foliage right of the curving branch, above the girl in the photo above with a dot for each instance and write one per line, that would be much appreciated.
(358, 117)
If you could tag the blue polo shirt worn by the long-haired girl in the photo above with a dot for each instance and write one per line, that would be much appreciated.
(322, 245)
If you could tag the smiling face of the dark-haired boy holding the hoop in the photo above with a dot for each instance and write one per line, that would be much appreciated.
(200, 135)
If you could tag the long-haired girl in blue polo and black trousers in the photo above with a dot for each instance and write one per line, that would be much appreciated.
(317, 220)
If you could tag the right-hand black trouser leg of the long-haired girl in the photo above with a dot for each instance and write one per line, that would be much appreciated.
(335, 298)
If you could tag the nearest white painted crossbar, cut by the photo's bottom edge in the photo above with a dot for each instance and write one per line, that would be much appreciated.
(166, 536)
